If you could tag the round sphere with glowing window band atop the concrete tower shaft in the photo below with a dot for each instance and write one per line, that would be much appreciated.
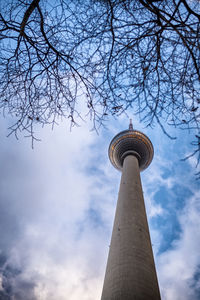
(131, 142)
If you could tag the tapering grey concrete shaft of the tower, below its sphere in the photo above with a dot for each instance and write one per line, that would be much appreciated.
(130, 272)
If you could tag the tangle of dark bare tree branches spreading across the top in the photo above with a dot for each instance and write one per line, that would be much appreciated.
(99, 58)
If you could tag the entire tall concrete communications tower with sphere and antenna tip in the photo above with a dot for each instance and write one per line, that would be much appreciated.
(130, 272)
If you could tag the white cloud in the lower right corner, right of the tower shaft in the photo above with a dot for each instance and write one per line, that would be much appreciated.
(178, 265)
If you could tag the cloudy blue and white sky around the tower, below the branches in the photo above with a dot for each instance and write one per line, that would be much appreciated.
(57, 204)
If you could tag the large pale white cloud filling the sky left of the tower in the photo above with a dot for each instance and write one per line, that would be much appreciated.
(49, 191)
